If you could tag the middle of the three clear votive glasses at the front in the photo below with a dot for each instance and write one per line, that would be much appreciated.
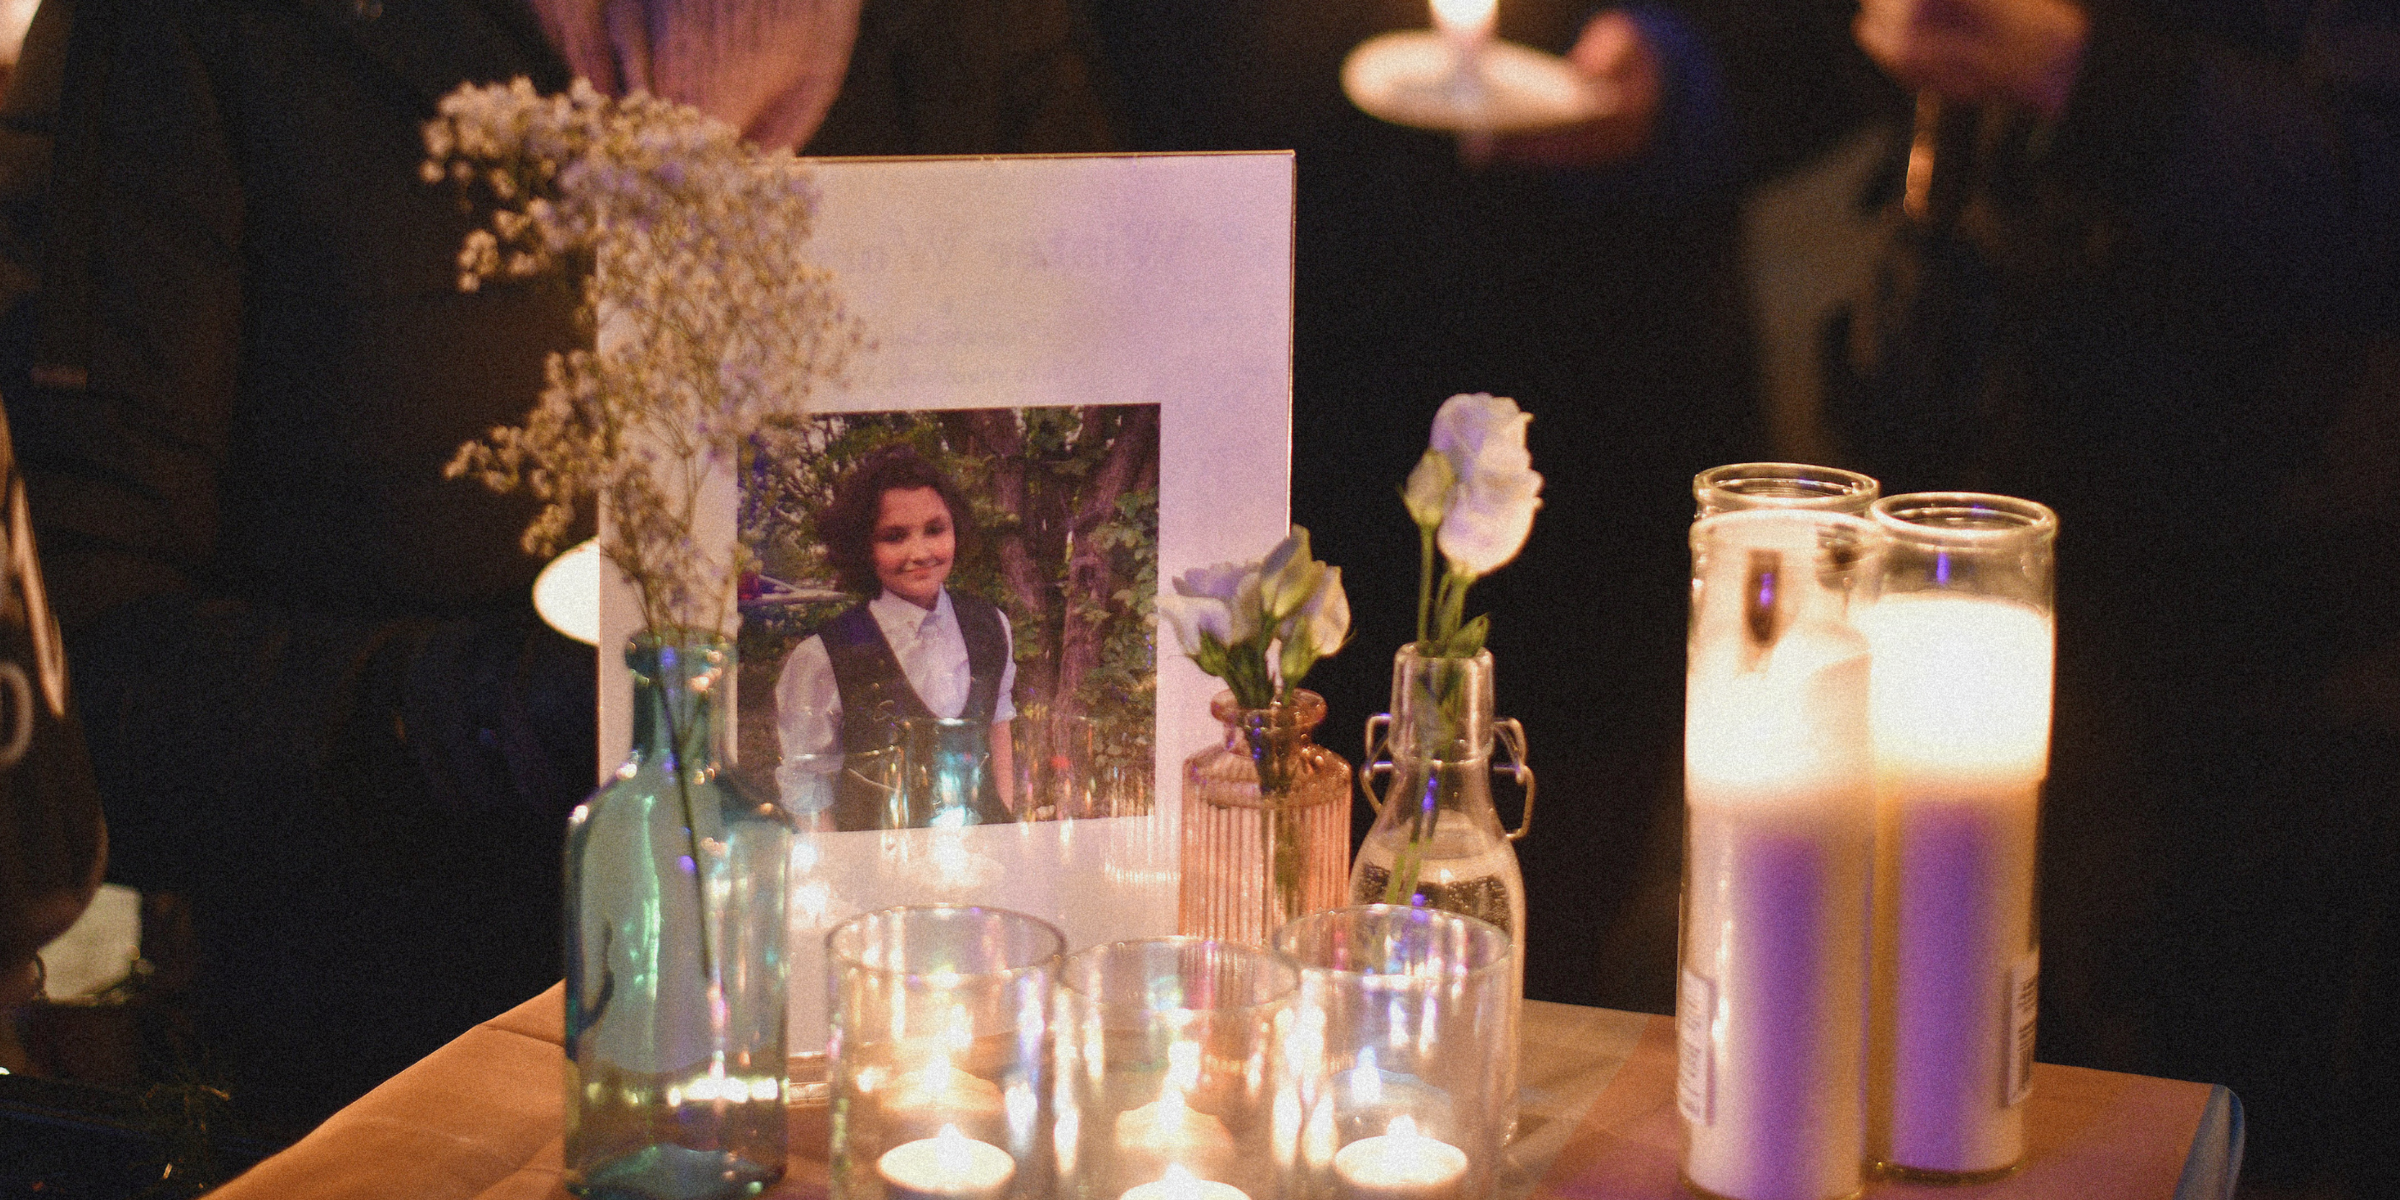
(1170, 1067)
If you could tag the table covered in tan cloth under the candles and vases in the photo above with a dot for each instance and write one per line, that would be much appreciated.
(481, 1120)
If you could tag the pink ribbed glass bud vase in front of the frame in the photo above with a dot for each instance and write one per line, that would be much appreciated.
(1266, 822)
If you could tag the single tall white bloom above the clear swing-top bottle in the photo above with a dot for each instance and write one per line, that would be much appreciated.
(1492, 510)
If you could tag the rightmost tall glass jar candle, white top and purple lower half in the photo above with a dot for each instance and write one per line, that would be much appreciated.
(1962, 738)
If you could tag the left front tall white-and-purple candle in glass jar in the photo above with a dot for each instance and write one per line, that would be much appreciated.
(1780, 841)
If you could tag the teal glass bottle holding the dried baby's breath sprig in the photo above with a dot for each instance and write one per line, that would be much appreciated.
(676, 973)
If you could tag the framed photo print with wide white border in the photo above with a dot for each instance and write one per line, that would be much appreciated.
(1076, 385)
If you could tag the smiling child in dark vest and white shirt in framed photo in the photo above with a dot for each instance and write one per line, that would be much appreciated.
(916, 664)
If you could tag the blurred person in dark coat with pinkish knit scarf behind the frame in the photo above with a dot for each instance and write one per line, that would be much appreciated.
(308, 666)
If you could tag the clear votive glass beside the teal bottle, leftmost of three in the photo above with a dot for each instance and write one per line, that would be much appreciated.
(940, 1055)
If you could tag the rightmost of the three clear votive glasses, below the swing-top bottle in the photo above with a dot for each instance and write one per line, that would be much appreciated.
(1403, 1069)
